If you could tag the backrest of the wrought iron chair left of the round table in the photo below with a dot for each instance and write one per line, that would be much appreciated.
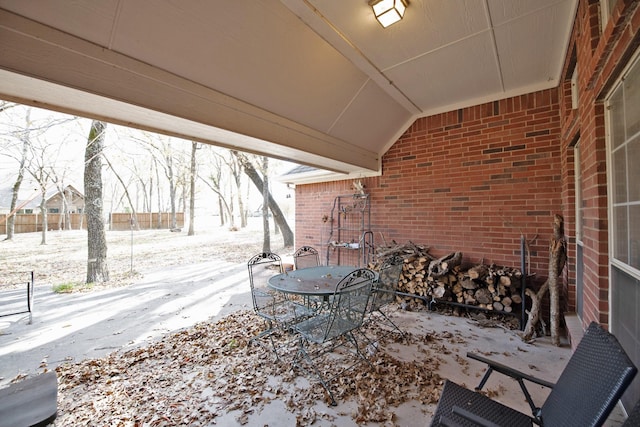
(261, 267)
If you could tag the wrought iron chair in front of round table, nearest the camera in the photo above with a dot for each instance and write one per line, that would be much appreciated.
(336, 325)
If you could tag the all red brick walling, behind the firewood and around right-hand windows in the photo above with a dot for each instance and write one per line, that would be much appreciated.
(475, 179)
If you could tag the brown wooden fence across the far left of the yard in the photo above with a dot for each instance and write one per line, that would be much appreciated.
(30, 223)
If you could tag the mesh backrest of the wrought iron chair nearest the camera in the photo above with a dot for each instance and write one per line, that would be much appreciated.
(349, 303)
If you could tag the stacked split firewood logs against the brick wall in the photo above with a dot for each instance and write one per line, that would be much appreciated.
(445, 279)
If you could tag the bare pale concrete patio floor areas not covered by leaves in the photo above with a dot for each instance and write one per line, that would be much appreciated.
(73, 327)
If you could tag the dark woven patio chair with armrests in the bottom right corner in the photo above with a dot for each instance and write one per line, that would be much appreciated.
(586, 392)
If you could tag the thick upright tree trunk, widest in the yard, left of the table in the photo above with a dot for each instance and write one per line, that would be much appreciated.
(97, 270)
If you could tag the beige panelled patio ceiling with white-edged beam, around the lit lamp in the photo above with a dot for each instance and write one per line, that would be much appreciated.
(317, 82)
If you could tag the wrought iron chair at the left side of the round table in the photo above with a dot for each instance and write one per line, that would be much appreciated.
(277, 311)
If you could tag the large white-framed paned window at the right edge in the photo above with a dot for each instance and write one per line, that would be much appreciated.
(623, 146)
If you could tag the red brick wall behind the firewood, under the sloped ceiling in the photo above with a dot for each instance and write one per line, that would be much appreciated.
(471, 180)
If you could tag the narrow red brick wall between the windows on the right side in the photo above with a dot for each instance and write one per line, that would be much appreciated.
(599, 56)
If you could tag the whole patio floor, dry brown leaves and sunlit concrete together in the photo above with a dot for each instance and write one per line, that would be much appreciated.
(186, 358)
